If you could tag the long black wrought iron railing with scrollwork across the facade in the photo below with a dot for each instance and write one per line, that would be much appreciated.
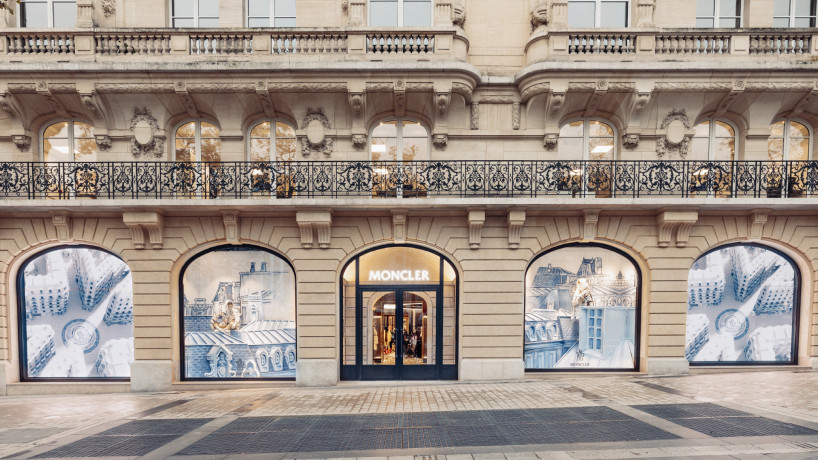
(414, 179)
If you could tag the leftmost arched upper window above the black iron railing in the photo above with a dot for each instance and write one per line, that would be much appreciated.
(69, 141)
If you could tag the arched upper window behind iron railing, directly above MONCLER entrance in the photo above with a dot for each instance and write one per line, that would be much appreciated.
(399, 140)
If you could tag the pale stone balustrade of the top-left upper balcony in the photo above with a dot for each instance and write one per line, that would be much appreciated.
(120, 45)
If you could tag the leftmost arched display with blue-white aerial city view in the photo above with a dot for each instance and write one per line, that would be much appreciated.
(78, 315)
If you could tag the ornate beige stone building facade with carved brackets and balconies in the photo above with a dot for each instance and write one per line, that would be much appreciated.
(488, 133)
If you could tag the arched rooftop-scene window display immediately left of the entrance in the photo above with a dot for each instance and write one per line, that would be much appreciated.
(239, 315)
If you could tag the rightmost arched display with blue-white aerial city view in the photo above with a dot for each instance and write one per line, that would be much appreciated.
(741, 307)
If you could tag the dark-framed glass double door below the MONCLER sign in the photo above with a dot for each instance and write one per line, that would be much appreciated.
(400, 339)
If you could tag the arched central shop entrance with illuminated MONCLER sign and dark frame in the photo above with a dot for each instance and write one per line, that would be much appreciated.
(399, 315)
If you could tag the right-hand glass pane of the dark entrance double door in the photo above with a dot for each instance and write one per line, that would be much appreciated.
(419, 315)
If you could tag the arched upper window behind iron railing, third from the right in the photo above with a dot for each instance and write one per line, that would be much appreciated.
(587, 139)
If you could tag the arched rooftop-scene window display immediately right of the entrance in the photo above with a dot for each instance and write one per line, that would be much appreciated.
(580, 310)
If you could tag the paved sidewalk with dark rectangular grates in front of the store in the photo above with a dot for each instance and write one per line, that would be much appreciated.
(730, 415)
